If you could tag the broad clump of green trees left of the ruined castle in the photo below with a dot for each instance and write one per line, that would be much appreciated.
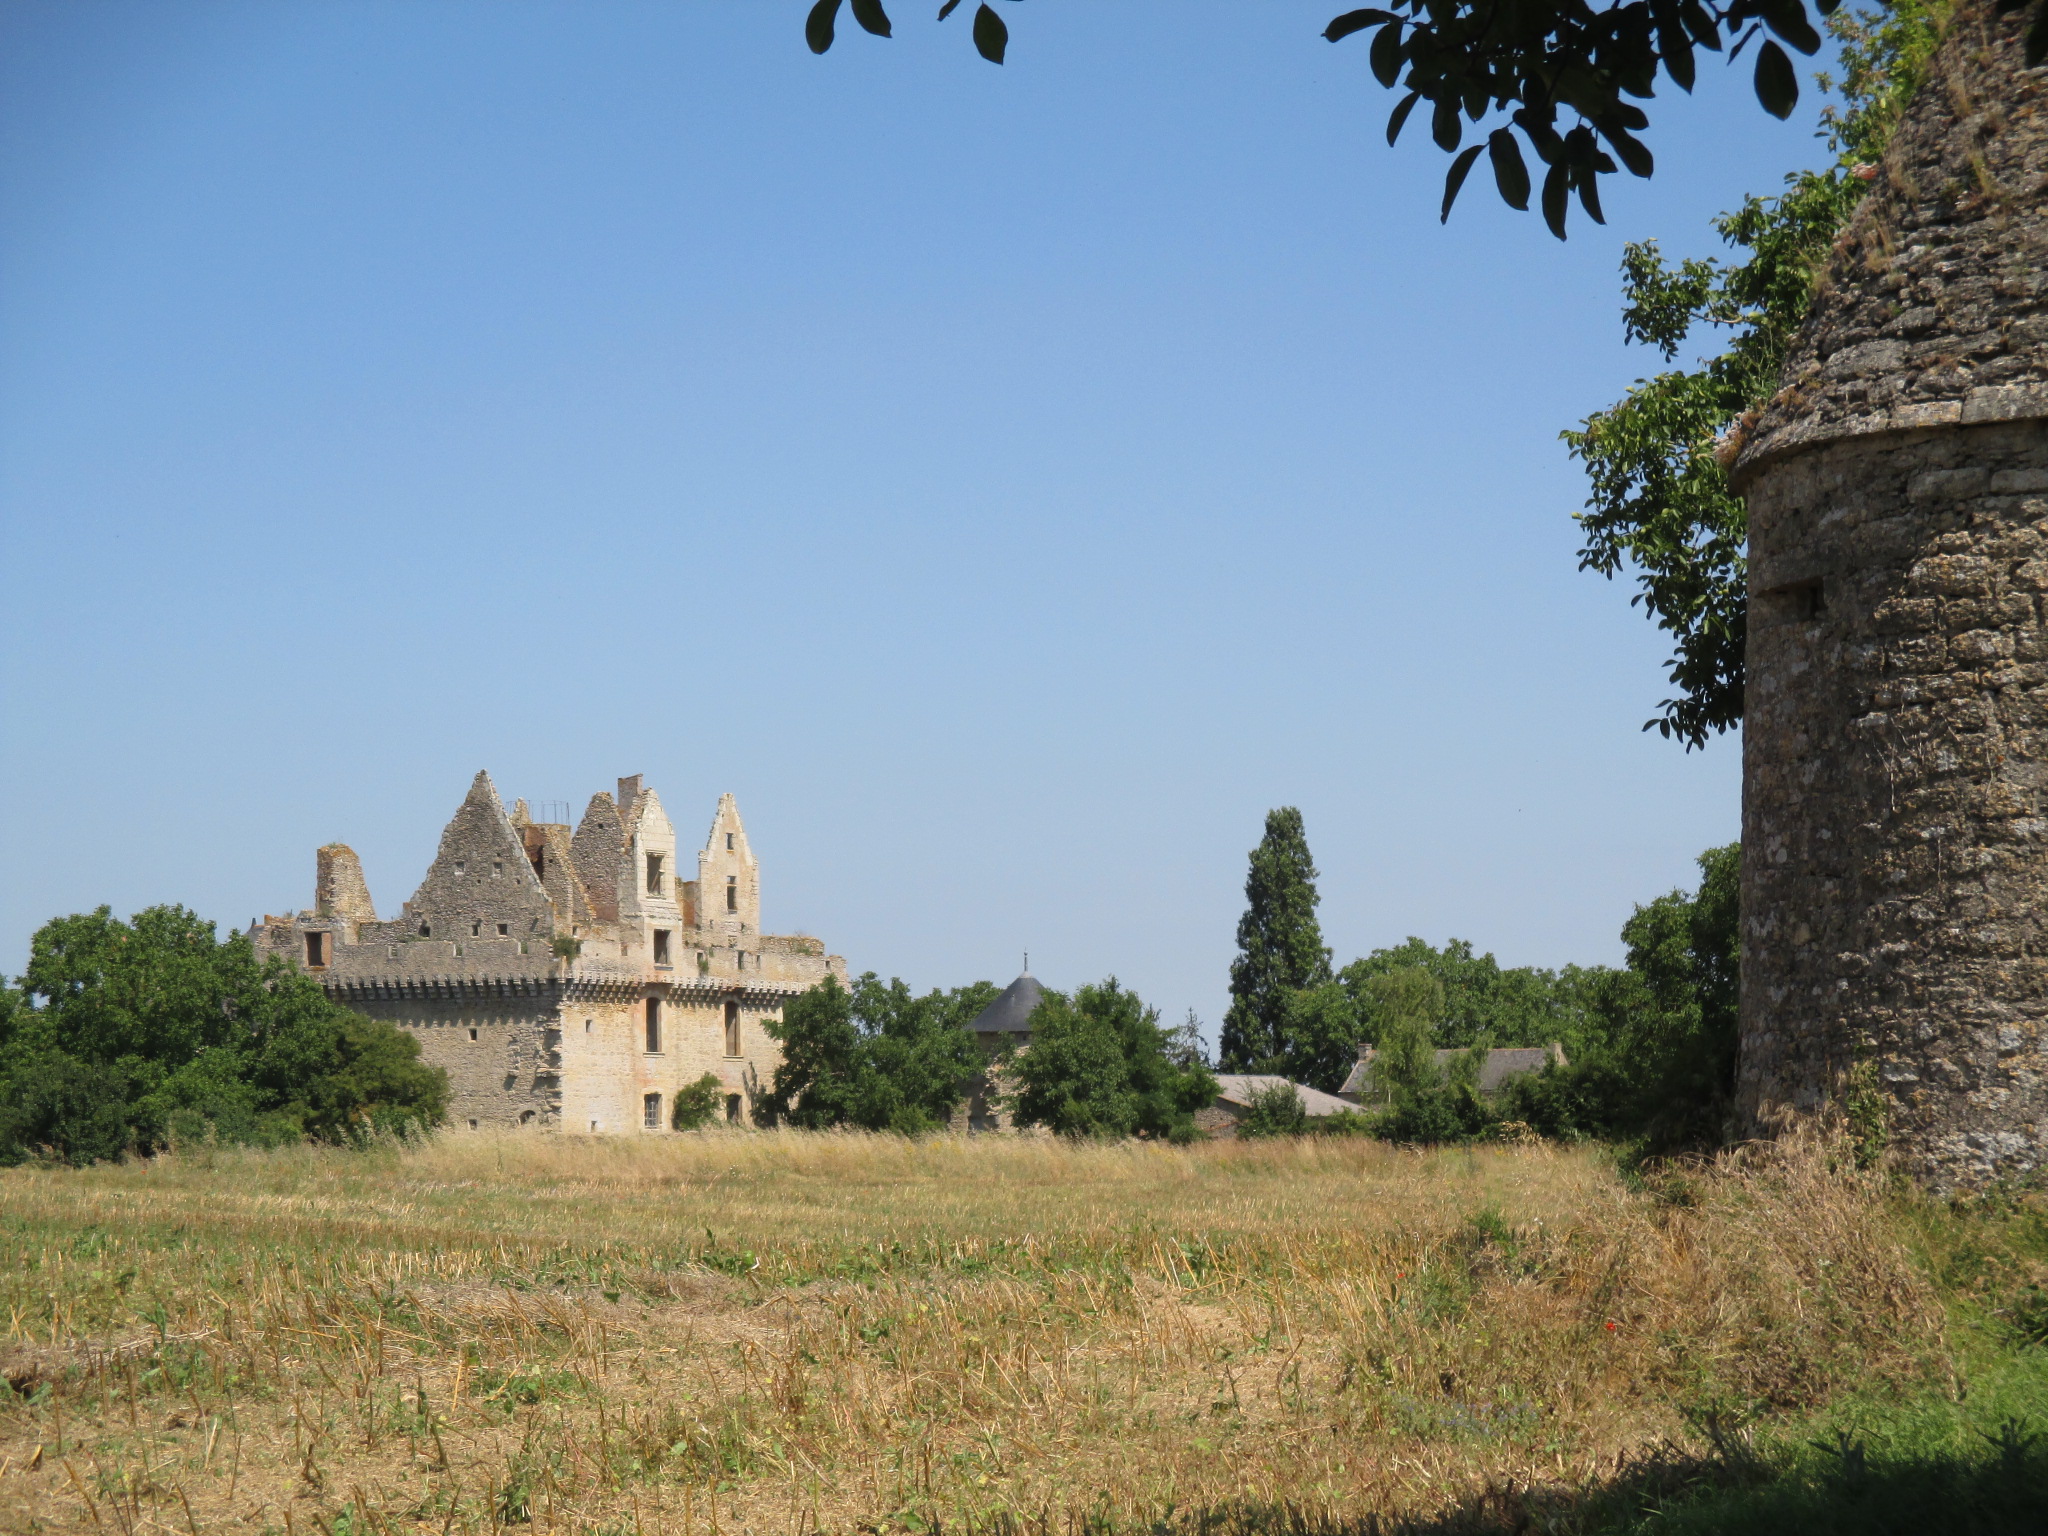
(132, 1035)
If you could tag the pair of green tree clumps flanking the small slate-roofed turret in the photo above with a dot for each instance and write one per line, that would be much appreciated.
(880, 1058)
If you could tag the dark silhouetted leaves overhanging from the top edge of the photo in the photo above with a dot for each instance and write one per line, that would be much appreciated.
(1562, 79)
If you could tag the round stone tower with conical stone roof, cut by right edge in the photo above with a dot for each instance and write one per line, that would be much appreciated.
(1895, 740)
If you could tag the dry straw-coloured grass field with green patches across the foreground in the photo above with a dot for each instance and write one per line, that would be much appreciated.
(814, 1332)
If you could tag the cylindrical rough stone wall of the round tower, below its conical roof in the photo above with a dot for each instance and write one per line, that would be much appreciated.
(1895, 828)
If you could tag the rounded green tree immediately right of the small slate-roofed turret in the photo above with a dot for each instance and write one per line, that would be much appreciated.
(1101, 1066)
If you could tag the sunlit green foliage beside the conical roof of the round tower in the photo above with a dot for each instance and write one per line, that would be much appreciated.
(1662, 501)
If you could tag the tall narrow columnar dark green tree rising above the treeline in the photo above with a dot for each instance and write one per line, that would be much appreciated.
(1279, 947)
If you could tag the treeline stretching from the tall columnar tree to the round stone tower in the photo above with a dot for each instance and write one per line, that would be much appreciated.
(1650, 1046)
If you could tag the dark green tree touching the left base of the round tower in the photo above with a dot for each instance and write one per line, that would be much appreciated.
(1660, 1070)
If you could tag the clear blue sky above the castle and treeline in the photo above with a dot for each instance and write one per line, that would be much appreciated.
(1009, 482)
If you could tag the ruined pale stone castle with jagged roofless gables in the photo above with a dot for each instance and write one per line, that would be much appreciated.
(566, 980)
